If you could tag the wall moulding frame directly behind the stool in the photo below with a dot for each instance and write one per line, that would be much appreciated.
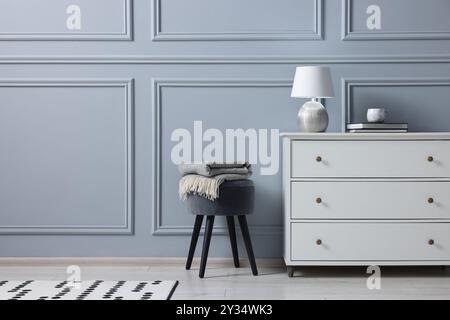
(157, 84)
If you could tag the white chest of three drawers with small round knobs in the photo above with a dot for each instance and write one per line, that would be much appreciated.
(366, 199)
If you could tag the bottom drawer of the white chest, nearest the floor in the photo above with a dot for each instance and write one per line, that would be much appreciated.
(370, 241)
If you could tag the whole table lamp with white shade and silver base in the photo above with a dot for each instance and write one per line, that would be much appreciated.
(312, 82)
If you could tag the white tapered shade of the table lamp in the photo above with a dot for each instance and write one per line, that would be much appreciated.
(312, 82)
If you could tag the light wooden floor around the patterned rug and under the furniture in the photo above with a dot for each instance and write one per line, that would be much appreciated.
(222, 281)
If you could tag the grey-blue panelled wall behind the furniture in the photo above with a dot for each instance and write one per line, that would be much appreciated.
(86, 115)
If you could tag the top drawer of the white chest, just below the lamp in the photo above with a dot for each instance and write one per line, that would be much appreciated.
(370, 159)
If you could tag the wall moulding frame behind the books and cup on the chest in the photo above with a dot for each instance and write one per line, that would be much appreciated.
(349, 83)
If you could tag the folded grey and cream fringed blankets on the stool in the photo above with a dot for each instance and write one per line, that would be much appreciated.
(205, 179)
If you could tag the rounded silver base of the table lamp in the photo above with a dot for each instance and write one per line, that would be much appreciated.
(313, 117)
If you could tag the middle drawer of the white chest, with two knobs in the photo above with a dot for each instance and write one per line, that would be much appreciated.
(370, 200)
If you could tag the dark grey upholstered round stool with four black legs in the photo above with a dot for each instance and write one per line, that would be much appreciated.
(236, 198)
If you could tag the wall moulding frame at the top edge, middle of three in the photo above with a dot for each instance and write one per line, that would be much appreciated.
(160, 35)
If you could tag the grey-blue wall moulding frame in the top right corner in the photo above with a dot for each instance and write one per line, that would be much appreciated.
(348, 34)
